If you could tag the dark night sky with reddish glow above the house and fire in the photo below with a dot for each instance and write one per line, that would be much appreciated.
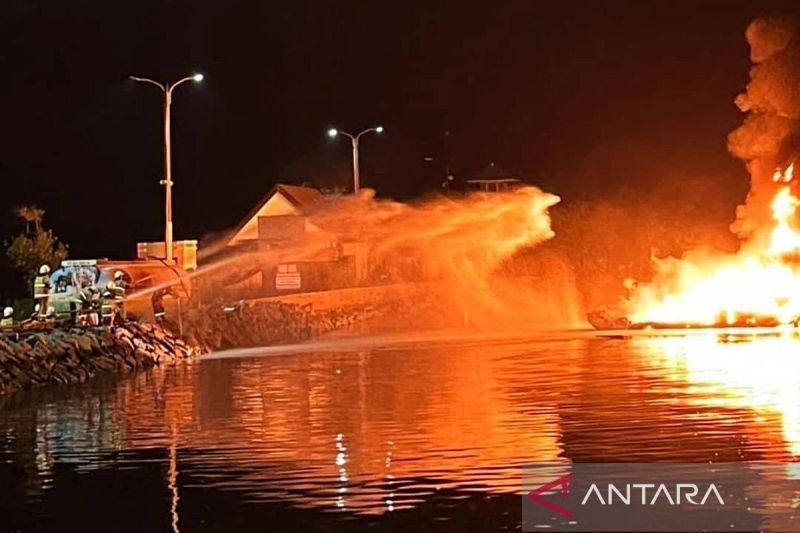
(583, 97)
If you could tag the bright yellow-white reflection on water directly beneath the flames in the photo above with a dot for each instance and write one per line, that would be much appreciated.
(761, 373)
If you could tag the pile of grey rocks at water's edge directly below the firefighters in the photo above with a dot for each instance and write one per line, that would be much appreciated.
(74, 355)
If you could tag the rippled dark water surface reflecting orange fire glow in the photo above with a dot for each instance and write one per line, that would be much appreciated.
(385, 432)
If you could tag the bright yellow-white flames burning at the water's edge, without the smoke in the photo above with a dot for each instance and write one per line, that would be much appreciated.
(757, 285)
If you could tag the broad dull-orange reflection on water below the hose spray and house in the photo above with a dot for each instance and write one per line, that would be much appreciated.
(365, 423)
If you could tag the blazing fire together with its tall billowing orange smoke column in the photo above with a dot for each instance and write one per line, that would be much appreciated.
(760, 283)
